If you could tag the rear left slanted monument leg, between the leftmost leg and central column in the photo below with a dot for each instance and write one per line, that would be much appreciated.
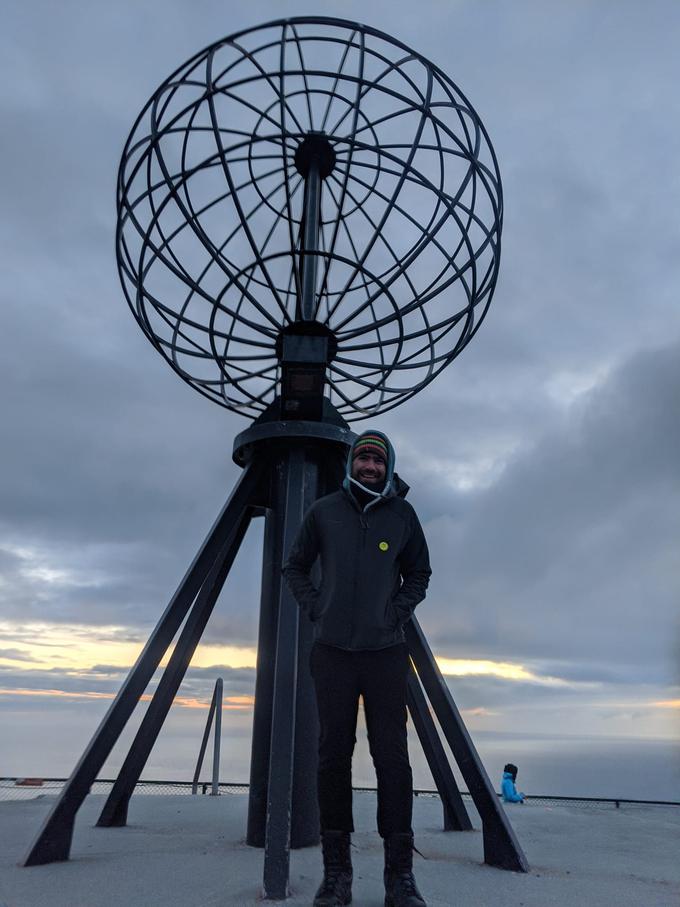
(115, 809)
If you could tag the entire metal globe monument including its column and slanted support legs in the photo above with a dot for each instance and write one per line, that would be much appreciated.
(309, 219)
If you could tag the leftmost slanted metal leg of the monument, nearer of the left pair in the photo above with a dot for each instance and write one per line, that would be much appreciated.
(53, 841)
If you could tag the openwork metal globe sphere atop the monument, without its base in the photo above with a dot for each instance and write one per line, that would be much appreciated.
(401, 239)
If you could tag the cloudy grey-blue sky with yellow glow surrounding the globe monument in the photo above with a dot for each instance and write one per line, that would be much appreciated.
(543, 462)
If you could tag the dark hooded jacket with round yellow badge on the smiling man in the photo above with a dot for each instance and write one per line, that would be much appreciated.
(374, 563)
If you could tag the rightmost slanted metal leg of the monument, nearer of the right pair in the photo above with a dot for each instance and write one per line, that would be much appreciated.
(501, 847)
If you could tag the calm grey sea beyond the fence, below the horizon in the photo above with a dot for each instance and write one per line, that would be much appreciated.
(549, 764)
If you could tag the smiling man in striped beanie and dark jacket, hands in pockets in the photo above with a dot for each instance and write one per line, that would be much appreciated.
(374, 571)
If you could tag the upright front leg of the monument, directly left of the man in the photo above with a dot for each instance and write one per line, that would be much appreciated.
(300, 474)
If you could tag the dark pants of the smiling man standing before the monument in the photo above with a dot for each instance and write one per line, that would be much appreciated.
(340, 678)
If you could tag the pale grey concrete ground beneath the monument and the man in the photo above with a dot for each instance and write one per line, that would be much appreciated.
(190, 851)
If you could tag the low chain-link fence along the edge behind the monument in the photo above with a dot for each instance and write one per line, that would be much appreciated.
(30, 788)
